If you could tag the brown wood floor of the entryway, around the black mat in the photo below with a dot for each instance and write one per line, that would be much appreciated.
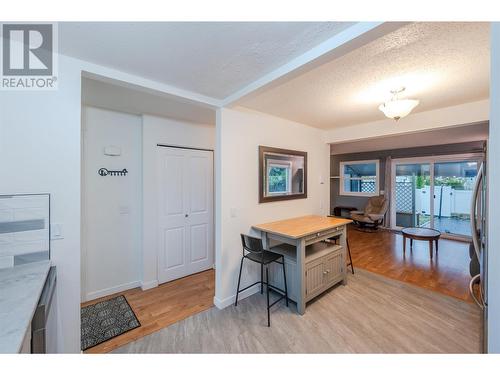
(159, 307)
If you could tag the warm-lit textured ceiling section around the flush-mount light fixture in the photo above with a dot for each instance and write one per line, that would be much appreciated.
(442, 64)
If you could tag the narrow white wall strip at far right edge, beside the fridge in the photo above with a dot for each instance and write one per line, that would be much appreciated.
(493, 177)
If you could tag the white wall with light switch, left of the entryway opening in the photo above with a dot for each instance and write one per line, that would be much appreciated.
(40, 152)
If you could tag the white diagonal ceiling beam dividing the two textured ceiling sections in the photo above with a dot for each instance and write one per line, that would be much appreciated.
(340, 44)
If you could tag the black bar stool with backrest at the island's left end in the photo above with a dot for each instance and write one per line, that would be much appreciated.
(253, 250)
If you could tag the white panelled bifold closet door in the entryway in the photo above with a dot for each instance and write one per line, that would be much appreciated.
(185, 212)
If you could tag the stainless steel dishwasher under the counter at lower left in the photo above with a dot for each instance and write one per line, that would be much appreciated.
(44, 323)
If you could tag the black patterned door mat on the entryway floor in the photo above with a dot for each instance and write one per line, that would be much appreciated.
(106, 319)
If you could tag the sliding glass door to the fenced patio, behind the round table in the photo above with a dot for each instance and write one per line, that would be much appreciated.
(434, 192)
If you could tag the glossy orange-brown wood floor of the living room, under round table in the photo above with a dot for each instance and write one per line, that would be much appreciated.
(381, 252)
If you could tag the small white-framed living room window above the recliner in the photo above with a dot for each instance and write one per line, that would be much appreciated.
(359, 178)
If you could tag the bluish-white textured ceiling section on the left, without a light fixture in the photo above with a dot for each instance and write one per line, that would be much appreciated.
(211, 58)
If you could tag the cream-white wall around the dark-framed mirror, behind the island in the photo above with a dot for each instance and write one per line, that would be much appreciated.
(239, 133)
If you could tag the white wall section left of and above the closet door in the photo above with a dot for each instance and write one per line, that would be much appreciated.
(157, 130)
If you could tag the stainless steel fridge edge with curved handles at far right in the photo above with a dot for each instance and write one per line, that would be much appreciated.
(479, 250)
